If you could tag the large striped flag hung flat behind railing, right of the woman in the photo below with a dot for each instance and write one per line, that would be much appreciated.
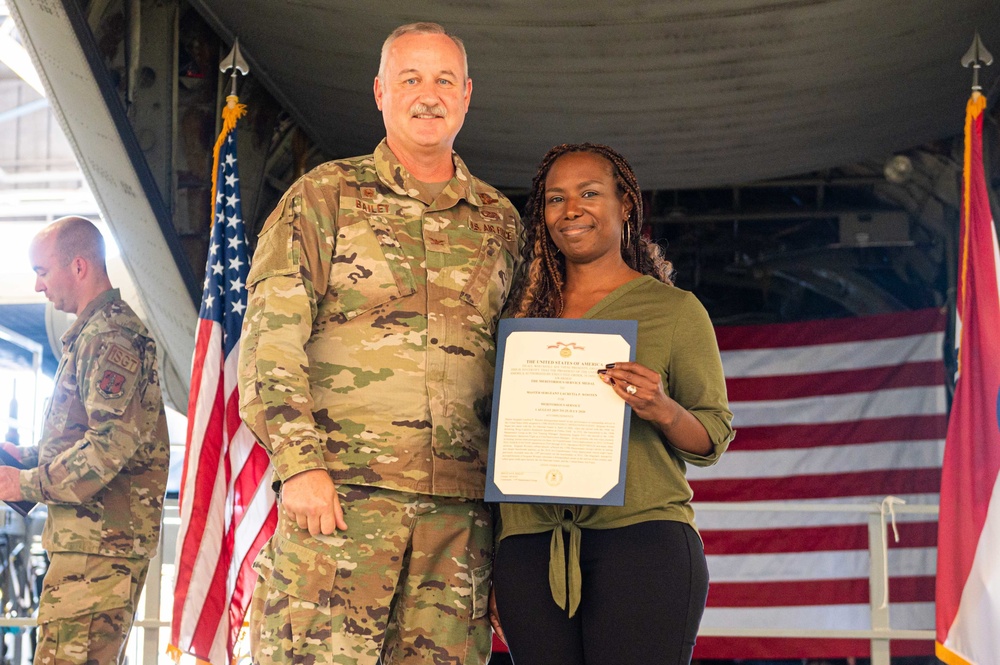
(833, 411)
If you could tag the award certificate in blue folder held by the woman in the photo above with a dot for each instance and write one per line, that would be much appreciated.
(559, 434)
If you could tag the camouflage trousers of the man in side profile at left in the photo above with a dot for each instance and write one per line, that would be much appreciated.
(87, 608)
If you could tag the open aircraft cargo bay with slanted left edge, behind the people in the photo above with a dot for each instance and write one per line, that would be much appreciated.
(800, 158)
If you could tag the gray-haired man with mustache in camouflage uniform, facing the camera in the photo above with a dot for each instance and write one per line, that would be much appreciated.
(366, 367)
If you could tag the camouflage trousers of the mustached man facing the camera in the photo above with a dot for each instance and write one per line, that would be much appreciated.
(408, 581)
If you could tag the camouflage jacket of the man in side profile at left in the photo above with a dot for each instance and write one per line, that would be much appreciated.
(101, 464)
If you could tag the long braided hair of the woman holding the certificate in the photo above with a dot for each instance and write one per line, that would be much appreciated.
(539, 293)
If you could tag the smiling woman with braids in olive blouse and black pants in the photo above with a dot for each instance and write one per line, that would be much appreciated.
(614, 585)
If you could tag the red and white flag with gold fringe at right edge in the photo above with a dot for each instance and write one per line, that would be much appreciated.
(968, 574)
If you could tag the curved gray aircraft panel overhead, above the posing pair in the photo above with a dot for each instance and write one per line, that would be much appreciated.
(694, 93)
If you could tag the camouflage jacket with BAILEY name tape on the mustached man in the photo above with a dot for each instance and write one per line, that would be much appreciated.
(367, 347)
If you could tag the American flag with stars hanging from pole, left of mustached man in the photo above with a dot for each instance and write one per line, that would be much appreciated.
(227, 507)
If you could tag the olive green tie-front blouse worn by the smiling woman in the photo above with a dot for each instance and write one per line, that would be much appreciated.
(676, 338)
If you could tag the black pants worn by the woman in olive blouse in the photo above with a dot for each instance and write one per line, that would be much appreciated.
(643, 593)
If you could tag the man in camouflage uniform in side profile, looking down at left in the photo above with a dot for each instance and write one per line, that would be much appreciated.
(101, 464)
